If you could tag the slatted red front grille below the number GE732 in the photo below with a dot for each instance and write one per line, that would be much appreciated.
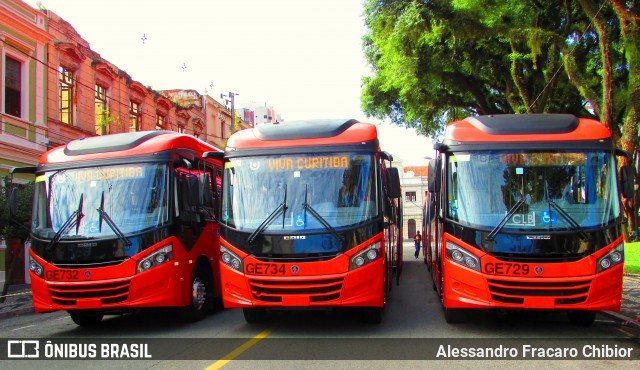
(108, 293)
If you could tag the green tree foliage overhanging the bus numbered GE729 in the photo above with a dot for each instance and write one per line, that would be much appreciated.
(438, 60)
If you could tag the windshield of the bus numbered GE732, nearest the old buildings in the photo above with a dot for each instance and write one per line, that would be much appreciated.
(100, 202)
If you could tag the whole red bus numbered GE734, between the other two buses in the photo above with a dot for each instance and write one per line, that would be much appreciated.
(310, 218)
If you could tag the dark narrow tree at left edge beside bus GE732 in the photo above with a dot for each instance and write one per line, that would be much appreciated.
(16, 227)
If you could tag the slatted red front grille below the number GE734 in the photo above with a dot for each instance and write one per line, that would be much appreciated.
(322, 290)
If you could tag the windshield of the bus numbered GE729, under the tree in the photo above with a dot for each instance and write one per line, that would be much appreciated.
(532, 190)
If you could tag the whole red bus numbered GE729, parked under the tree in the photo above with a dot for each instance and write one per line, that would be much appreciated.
(524, 212)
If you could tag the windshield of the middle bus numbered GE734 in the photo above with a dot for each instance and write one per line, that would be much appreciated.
(301, 192)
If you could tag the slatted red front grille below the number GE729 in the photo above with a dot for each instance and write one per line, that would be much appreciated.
(515, 292)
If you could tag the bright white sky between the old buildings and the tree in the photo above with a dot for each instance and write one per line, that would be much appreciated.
(303, 57)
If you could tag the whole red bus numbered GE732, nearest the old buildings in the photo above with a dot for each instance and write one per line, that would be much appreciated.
(125, 221)
